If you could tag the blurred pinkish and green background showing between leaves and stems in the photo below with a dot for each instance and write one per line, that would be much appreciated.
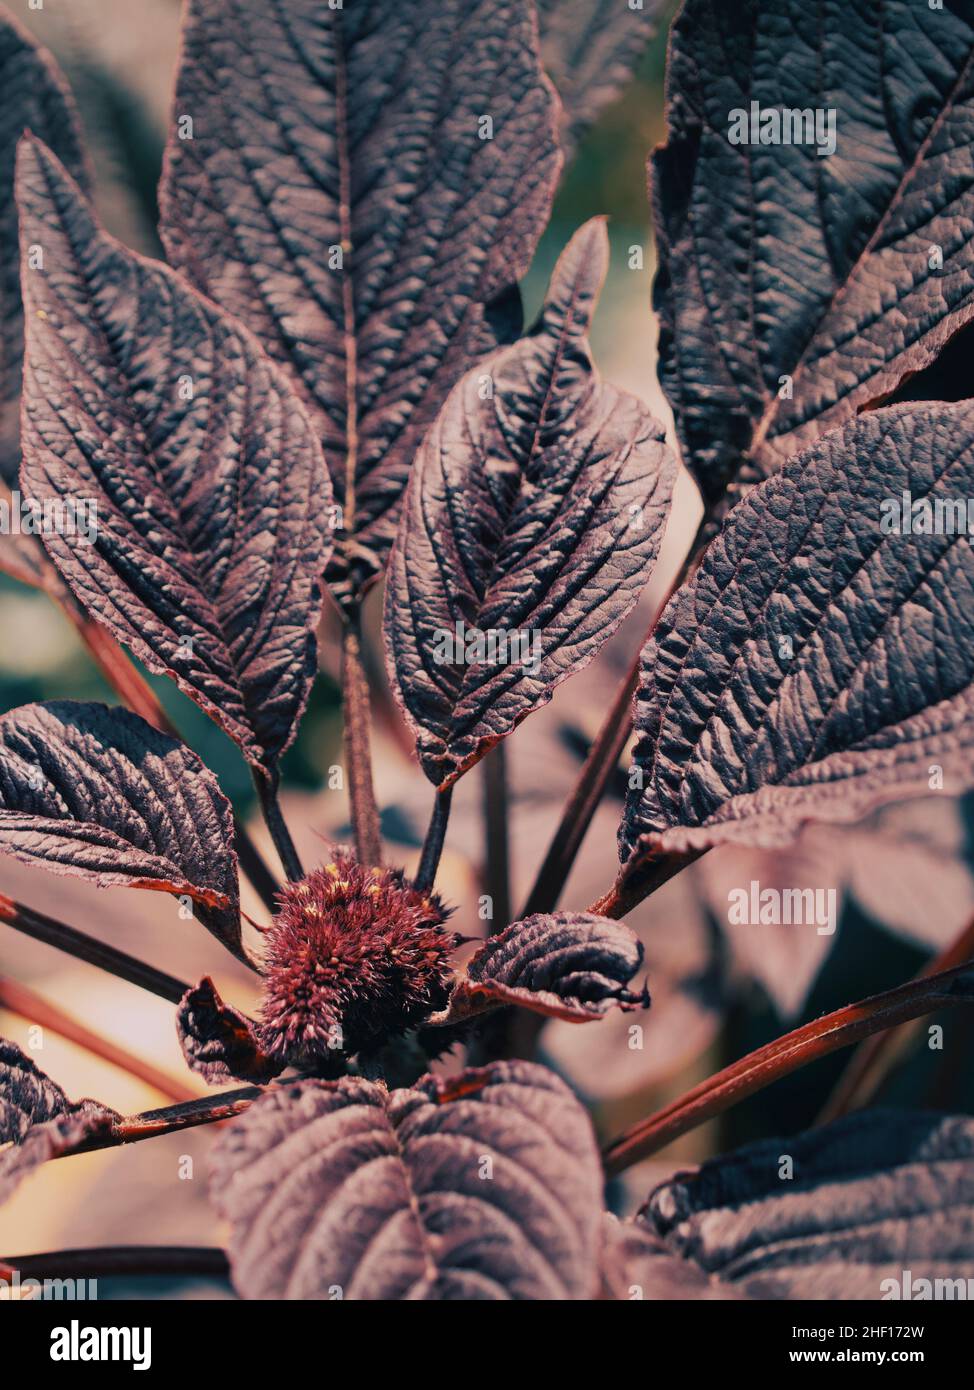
(904, 879)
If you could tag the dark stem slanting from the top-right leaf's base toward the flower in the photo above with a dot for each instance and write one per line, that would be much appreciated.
(604, 758)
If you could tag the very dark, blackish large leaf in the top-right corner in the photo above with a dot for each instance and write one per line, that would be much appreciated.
(795, 290)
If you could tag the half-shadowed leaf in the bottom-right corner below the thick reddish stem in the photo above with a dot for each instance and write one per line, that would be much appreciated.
(877, 1203)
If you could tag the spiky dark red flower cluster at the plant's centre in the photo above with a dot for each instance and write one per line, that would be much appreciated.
(354, 957)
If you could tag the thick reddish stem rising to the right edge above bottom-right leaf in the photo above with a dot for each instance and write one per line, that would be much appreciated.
(786, 1056)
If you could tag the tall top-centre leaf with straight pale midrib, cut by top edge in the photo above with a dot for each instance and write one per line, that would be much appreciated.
(358, 131)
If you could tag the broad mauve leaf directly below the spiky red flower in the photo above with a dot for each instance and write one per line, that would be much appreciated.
(348, 1191)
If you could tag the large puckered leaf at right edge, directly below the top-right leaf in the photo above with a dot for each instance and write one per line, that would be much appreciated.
(818, 664)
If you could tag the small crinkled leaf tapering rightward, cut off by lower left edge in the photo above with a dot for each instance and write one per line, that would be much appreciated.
(38, 1122)
